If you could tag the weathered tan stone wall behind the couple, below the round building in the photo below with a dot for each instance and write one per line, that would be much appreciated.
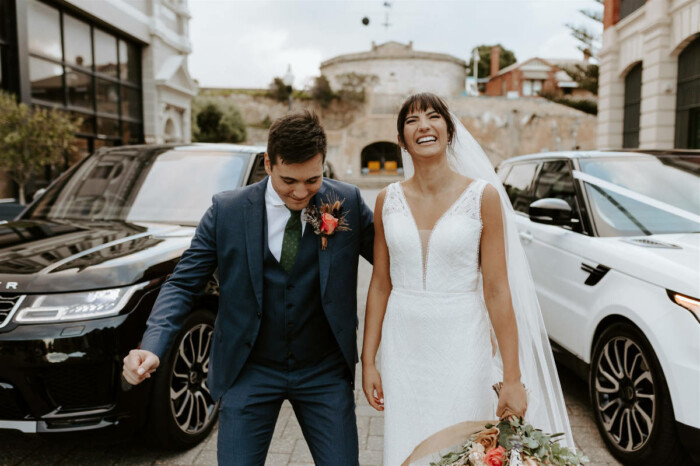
(504, 127)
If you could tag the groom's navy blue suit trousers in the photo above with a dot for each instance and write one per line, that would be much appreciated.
(323, 401)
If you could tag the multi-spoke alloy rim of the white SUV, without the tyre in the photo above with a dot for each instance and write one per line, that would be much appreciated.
(625, 394)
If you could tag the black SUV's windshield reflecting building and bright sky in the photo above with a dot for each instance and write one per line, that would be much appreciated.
(143, 185)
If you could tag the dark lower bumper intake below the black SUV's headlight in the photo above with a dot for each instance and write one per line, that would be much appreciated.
(82, 386)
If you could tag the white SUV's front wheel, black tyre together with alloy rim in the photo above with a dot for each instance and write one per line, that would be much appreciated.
(630, 399)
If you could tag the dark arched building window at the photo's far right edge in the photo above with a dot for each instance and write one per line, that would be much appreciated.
(688, 97)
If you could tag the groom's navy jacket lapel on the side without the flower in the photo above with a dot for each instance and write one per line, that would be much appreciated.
(255, 241)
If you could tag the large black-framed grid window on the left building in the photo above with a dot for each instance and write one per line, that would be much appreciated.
(90, 72)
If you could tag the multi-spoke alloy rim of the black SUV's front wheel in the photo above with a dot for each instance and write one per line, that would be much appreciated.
(191, 403)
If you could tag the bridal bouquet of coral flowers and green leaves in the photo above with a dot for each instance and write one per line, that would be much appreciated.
(511, 442)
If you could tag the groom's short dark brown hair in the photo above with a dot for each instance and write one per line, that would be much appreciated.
(296, 138)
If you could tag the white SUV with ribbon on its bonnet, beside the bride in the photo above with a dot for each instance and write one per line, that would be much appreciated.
(613, 241)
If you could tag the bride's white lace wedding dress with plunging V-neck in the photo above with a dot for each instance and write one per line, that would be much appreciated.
(437, 359)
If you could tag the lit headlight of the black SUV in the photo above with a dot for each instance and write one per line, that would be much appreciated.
(75, 306)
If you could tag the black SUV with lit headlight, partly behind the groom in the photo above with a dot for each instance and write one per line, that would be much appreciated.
(80, 269)
